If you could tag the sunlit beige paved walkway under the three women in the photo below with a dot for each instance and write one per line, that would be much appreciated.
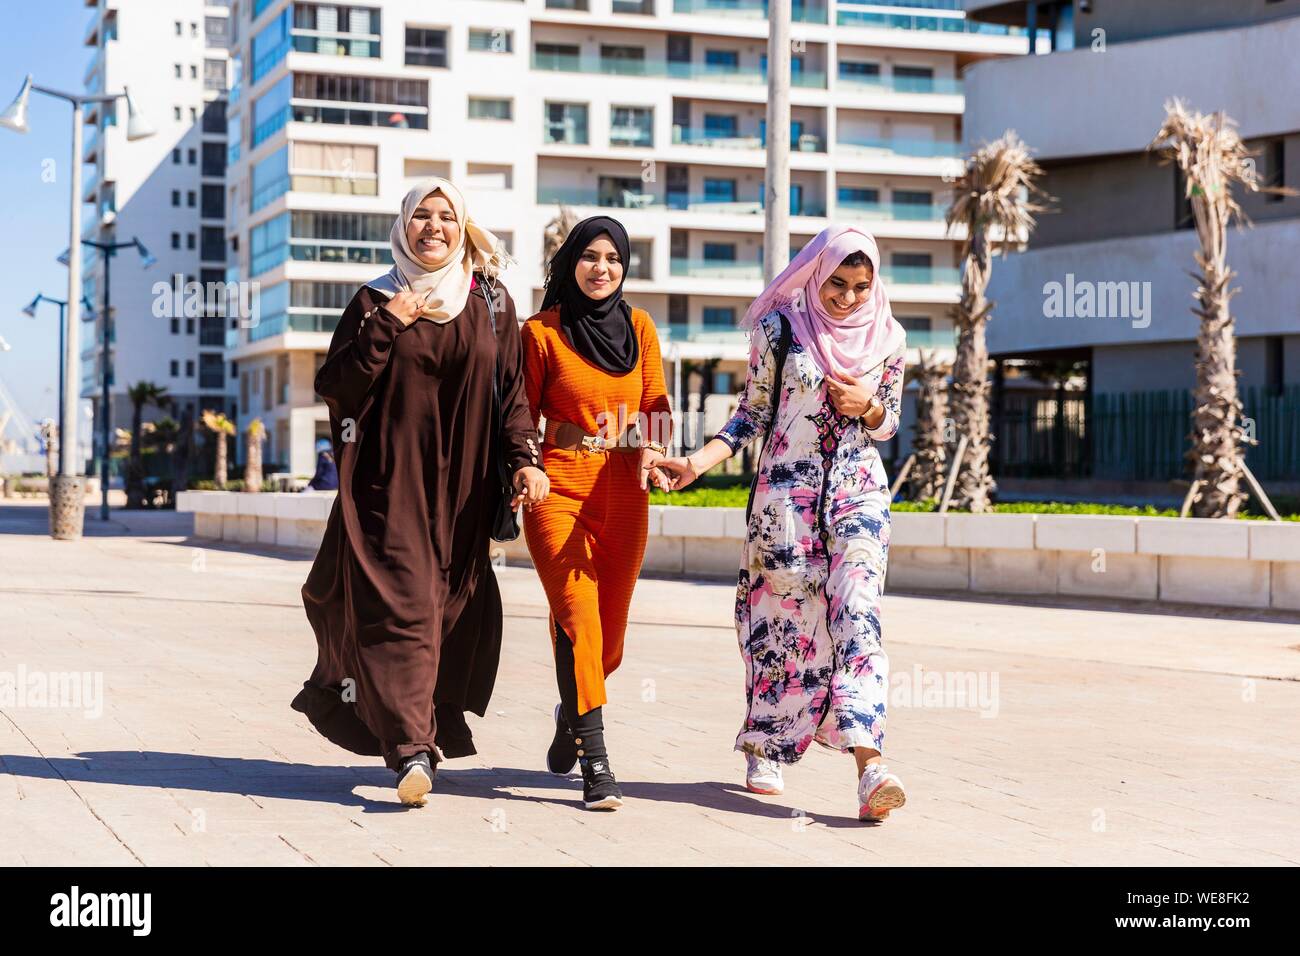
(1112, 737)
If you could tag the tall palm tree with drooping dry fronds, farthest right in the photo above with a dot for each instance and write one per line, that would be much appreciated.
(1214, 159)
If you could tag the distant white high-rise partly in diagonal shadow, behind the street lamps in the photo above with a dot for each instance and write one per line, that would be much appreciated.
(167, 191)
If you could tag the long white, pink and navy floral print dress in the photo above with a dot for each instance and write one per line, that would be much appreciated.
(813, 569)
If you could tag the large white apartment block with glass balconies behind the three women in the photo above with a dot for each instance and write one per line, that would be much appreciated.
(651, 111)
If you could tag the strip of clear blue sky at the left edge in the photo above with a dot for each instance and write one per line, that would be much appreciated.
(44, 40)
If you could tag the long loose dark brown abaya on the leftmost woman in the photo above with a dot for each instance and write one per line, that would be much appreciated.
(402, 595)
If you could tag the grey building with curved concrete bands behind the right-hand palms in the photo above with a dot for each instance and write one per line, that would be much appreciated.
(1121, 230)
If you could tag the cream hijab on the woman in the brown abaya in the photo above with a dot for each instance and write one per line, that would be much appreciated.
(449, 284)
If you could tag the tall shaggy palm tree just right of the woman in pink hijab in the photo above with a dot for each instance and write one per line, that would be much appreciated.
(995, 201)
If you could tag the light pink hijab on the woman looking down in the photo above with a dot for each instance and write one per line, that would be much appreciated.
(847, 347)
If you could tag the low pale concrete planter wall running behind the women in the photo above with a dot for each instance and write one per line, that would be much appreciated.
(1177, 560)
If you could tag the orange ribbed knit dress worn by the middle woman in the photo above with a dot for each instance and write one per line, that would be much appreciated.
(590, 537)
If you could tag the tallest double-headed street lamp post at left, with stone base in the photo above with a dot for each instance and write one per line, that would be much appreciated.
(67, 494)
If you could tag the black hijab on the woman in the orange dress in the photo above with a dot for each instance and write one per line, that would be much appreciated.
(599, 330)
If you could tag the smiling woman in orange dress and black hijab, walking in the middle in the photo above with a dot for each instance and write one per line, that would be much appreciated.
(593, 371)
